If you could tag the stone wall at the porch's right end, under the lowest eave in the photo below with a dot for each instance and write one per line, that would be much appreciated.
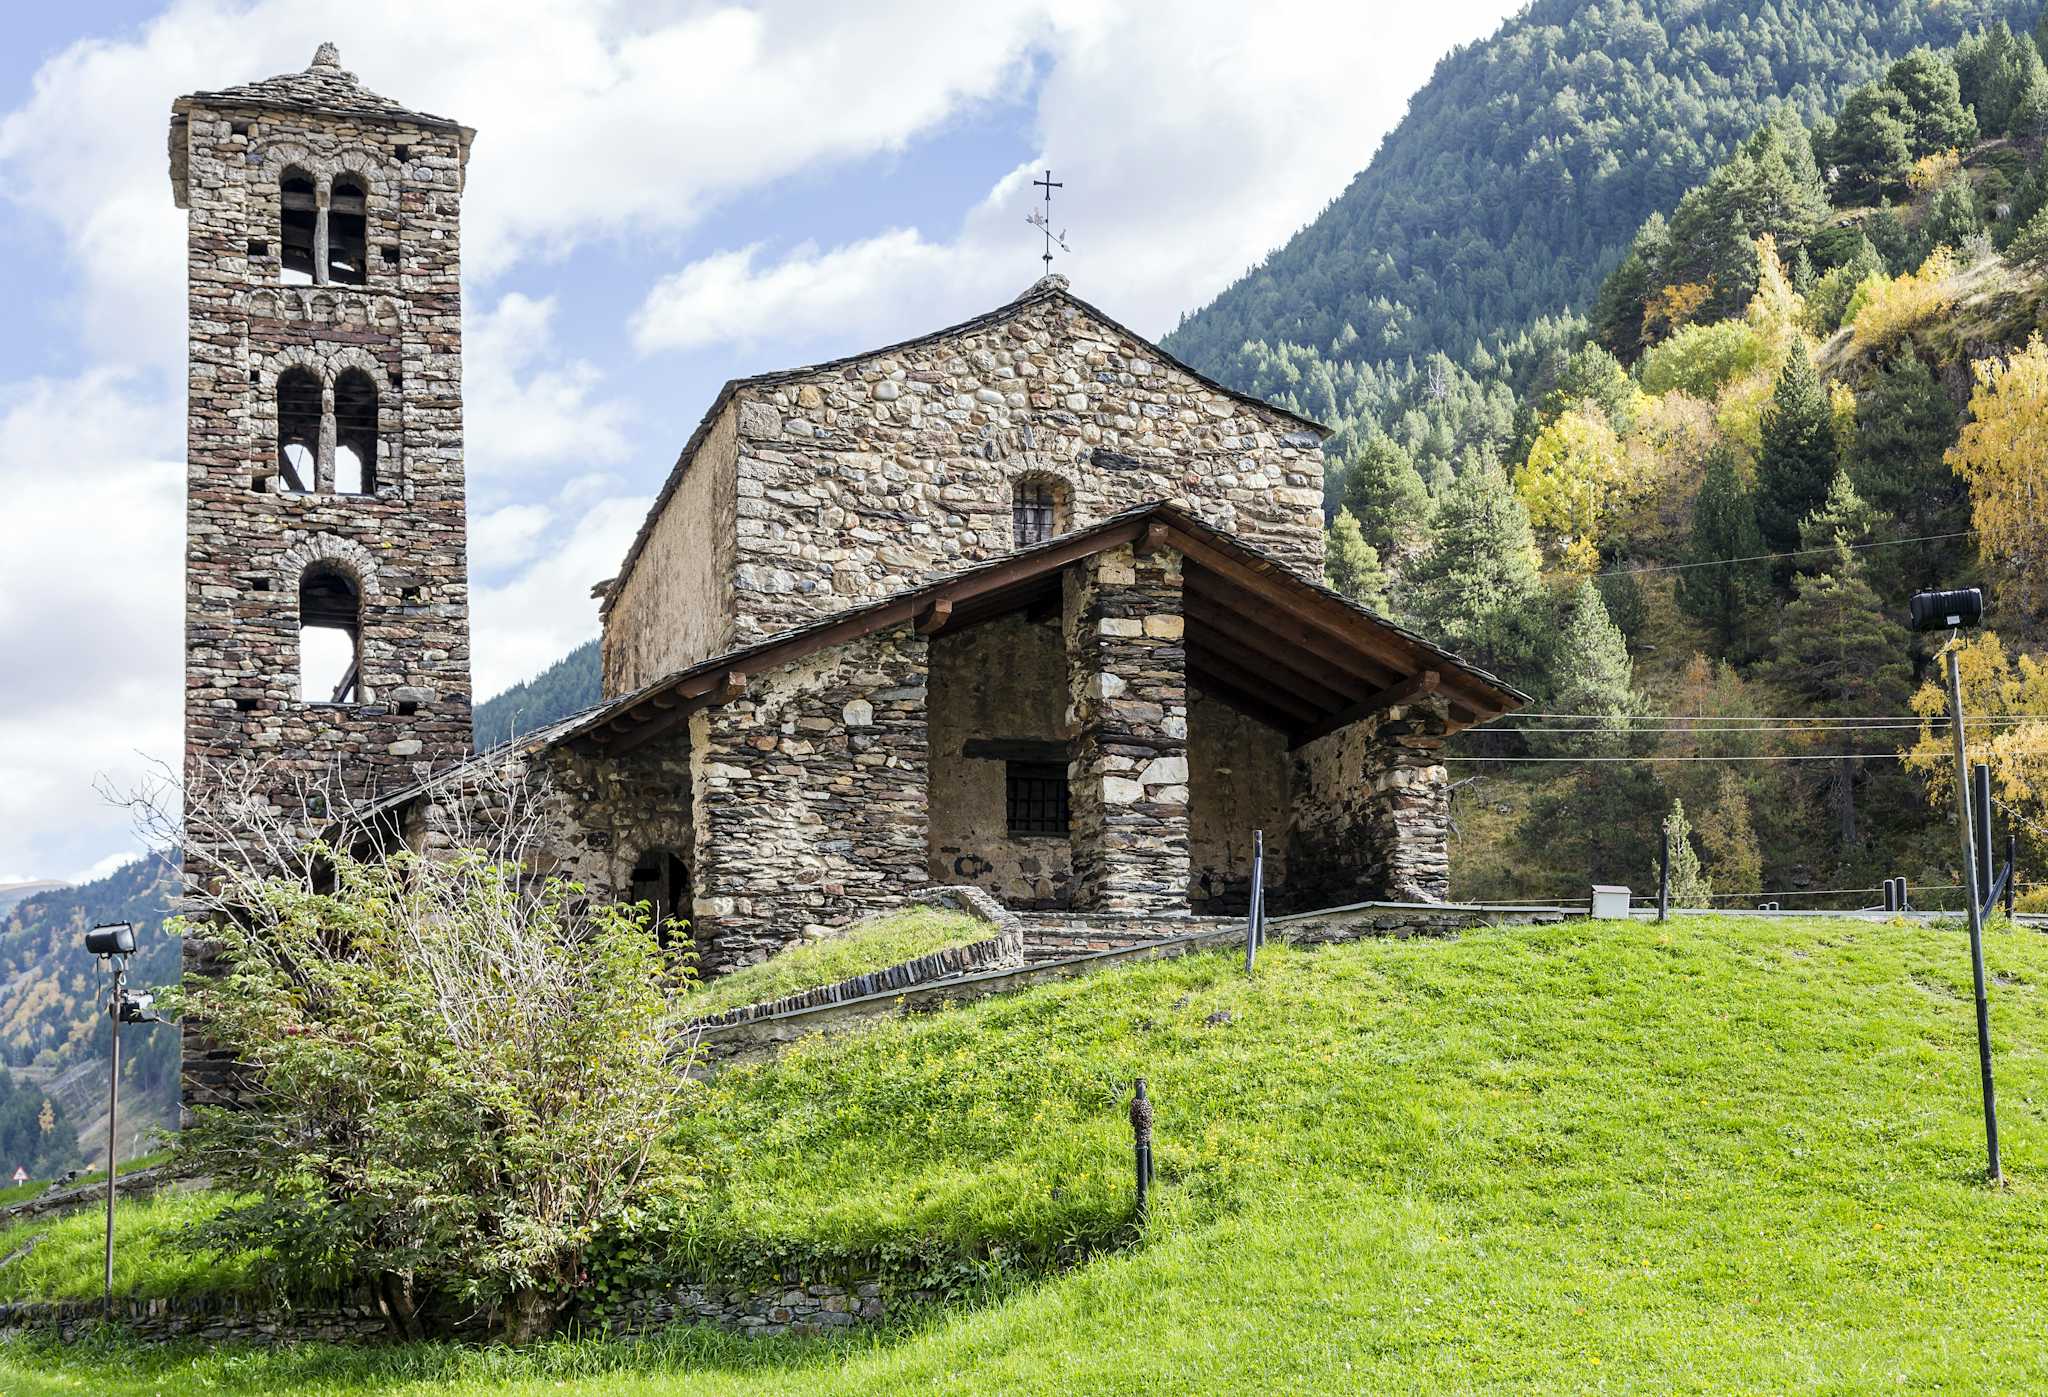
(1371, 812)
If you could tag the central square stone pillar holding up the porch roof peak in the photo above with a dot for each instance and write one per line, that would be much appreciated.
(1127, 671)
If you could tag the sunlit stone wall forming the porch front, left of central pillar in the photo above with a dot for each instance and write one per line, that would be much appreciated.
(810, 798)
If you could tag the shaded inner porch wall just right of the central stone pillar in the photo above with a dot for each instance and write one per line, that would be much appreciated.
(1238, 781)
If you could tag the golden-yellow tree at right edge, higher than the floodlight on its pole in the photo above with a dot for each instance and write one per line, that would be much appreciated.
(2004, 458)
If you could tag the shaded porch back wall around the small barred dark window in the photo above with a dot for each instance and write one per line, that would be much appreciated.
(996, 681)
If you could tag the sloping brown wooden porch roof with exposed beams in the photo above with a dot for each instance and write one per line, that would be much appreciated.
(1261, 638)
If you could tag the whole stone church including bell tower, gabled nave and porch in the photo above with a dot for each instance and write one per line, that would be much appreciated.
(1021, 603)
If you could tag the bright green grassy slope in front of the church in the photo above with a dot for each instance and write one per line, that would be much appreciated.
(1709, 1158)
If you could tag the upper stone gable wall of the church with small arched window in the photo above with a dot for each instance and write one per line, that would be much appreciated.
(873, 476)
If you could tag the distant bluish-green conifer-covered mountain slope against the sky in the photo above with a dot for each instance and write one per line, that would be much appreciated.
(1529, 161)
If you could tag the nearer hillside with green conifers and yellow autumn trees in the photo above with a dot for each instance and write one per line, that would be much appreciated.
(1811, 388)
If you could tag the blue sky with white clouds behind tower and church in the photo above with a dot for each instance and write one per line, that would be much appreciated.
(665, 194)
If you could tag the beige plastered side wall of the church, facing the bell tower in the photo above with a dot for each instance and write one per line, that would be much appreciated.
(677, 605)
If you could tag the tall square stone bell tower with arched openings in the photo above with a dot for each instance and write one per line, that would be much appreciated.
(327, 593)
